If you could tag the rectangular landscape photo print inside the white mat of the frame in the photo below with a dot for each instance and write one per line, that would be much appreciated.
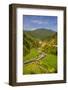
(39, 44)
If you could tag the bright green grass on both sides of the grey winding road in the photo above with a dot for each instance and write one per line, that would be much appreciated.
(46, 65)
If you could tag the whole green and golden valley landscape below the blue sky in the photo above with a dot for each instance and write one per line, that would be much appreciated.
(40, 55)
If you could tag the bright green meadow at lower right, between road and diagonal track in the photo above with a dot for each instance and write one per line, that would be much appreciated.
(50, 62)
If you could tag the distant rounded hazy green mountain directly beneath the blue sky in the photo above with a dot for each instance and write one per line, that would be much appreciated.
(41, 34)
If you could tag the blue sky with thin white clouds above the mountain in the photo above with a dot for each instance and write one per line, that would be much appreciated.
(32, 22)
